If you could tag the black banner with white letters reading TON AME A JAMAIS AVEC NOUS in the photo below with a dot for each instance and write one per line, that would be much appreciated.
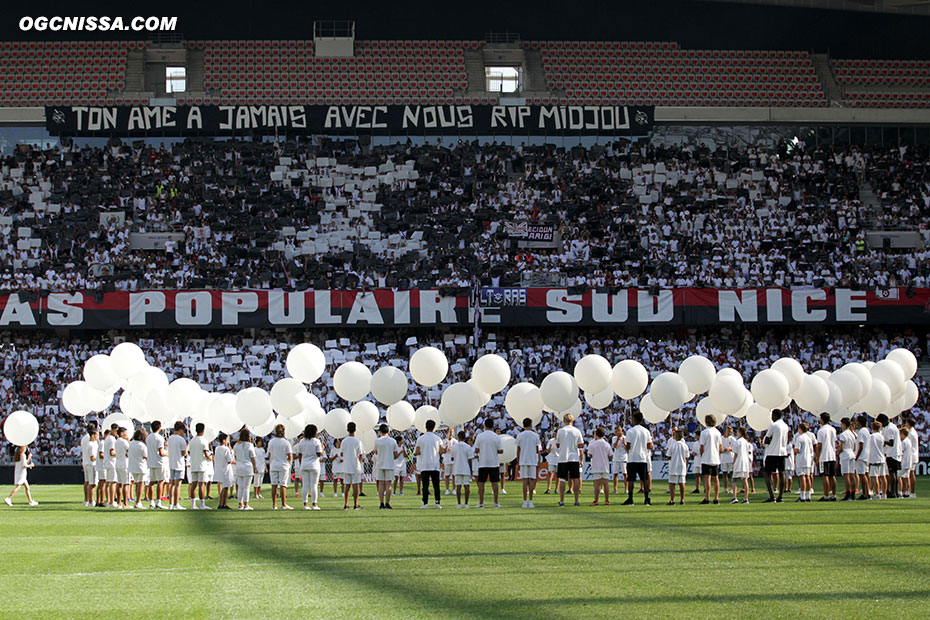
(480, 120)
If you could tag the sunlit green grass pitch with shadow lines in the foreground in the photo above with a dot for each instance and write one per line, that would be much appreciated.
(815, 560)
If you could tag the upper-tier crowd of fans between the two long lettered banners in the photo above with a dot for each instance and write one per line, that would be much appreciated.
(330, 215)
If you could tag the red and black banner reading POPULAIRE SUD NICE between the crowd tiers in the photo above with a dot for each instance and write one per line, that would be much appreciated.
(505, 307)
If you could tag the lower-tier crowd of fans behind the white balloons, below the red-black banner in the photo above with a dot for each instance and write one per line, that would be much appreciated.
(36, 367)
